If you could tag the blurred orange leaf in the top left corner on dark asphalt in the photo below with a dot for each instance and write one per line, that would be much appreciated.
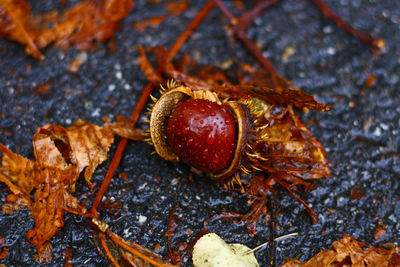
(81, 26)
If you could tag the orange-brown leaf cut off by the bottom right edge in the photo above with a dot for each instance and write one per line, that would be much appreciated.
(349, 252)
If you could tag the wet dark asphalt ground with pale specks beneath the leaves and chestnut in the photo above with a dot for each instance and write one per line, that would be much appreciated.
(360, 133)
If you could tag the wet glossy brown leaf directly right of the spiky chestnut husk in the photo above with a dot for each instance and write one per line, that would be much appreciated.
(287, 145)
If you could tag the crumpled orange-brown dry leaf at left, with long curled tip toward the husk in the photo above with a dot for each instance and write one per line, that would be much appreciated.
(61, 154)
